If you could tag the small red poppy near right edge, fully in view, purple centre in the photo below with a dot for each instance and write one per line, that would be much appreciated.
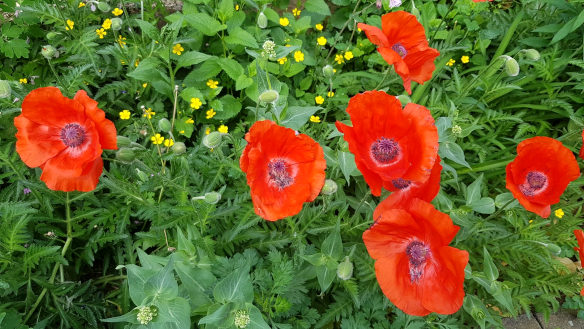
(540, 173)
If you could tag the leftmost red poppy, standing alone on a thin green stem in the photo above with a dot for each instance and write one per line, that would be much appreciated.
(64, 137)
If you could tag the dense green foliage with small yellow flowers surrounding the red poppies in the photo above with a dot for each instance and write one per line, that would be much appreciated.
(143, 244)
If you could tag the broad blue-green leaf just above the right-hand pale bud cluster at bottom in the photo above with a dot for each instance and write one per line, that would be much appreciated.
(234, 287)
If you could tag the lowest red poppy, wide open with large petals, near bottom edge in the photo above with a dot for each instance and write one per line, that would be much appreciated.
(415, 267)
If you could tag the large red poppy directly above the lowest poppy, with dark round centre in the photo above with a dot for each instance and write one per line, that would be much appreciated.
(390, 143)
